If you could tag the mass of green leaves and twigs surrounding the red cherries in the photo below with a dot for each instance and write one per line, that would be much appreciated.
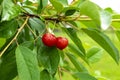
(24, 57)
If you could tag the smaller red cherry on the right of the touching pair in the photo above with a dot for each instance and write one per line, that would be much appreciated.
(61, 43)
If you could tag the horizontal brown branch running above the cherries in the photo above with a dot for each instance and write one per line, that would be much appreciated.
(64, 18)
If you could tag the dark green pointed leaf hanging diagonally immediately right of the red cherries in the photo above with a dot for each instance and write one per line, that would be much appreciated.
(73, 36)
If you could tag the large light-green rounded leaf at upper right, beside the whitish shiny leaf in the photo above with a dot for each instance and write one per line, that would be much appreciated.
(90, 9)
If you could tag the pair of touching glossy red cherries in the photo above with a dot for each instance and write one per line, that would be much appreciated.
(51, 40)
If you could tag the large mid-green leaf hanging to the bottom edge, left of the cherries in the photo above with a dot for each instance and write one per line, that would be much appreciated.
(27, 64)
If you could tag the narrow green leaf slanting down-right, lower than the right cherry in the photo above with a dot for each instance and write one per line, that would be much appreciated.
(76, 63)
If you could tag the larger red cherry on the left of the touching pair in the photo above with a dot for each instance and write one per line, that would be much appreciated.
(49, 39)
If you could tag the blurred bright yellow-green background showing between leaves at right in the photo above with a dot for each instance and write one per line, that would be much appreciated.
(105, 68)
